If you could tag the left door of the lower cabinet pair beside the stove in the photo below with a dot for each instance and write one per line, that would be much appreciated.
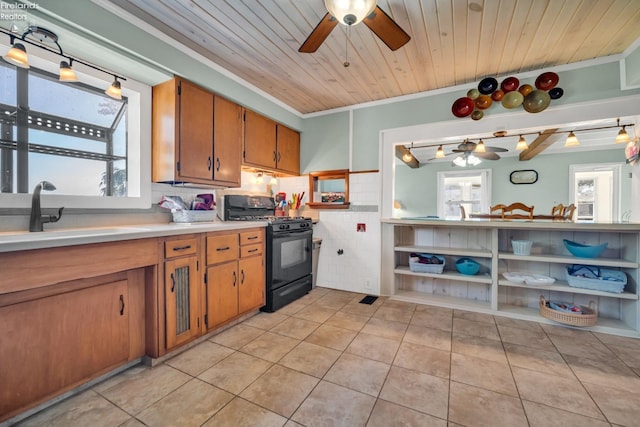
(222, 293)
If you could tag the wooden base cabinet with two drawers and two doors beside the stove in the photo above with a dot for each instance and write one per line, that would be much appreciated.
(235, 279)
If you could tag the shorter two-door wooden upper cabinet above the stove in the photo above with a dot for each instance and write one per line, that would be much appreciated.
(270, 145)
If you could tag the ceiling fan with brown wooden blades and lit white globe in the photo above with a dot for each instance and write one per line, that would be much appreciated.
(351, 12)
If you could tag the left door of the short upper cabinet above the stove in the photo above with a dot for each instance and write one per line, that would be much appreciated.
(259, 140)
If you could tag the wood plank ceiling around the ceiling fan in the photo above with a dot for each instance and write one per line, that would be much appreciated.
(453, 42)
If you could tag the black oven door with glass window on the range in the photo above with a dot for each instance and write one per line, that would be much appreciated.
(291, 256)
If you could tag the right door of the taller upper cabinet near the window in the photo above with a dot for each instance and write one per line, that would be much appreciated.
(227, 141)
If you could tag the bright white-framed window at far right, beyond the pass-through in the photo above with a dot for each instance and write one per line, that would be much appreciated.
(595, 190)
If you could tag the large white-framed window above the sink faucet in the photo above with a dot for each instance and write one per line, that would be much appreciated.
(93, 148)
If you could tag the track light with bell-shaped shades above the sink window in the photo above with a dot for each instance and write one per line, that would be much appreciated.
(17, 56)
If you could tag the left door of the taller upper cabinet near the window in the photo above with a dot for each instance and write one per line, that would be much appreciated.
(196, 133)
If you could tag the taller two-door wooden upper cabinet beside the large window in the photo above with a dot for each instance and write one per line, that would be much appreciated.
(197, 136)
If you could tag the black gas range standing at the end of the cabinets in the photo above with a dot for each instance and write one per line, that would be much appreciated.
(289, 243)
